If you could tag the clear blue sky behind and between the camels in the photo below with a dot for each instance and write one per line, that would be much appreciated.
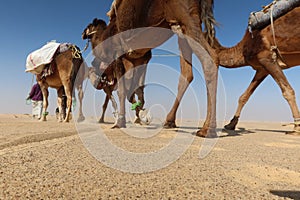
(27, 25)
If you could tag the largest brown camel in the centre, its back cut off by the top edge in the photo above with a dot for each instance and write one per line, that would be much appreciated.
(183, 18)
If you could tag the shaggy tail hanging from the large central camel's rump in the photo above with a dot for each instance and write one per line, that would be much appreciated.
(208, 19)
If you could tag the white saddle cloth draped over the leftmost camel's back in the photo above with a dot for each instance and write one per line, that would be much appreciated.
(37, 60)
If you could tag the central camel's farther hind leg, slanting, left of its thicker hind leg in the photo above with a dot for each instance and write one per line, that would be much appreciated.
(185, 79)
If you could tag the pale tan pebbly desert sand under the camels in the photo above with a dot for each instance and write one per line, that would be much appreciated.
(51, 160)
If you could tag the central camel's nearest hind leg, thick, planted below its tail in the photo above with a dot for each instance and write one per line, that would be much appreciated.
(186, 15)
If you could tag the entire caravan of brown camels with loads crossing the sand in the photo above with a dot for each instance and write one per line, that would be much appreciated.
(122, 50)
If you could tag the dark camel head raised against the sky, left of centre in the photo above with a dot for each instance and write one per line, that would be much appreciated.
(96, 26)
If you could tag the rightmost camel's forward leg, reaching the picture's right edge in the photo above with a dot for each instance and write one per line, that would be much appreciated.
(286, 89)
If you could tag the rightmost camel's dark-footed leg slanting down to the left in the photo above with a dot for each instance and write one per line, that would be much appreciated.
(256, 81)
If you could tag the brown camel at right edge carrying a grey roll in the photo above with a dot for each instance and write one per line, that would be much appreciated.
(257, 49)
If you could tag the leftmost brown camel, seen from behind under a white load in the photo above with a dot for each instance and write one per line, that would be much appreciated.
(68, 70)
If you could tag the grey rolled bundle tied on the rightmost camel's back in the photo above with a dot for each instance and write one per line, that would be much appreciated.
(261, 19)
